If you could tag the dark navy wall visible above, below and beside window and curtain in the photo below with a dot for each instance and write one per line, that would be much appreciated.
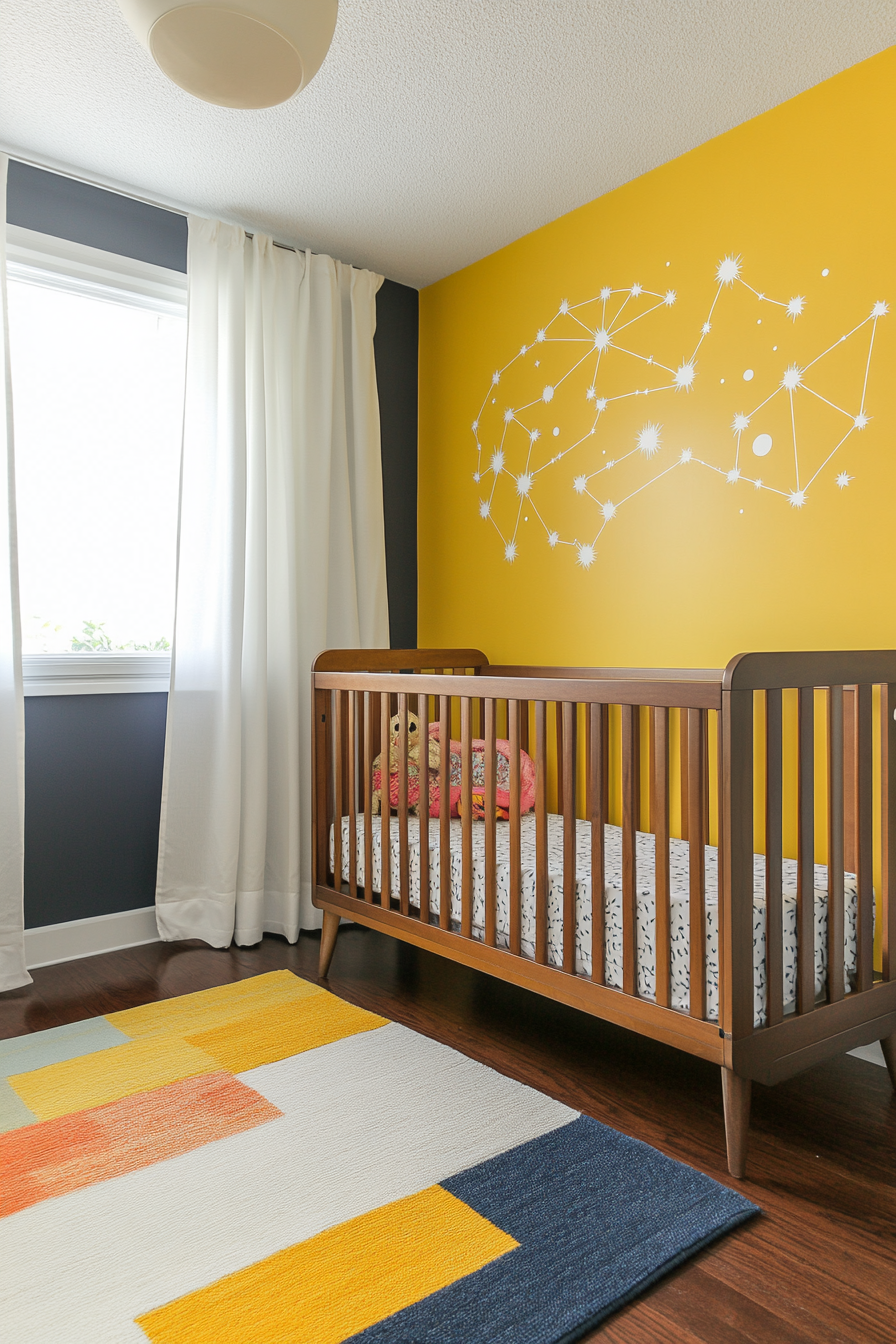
(93, 763)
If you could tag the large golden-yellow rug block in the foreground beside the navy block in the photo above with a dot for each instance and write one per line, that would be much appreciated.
(342, 1282)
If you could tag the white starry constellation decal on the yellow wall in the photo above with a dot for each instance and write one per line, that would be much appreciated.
(593, 351)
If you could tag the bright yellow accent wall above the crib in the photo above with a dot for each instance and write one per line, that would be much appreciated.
(694, 569)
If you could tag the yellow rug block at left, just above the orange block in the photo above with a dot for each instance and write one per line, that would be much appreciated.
(111, 1075)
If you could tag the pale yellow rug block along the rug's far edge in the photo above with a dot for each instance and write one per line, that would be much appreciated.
(210, 1009)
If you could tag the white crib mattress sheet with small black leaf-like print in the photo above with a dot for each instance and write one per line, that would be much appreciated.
(613, 904)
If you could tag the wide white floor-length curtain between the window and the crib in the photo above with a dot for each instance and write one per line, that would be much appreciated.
(281, 554)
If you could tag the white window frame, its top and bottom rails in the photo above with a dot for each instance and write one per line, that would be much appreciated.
(77, 269)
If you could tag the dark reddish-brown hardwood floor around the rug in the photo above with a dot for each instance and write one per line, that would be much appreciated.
(819, 1267)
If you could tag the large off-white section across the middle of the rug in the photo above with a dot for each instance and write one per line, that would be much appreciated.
(367, 1120)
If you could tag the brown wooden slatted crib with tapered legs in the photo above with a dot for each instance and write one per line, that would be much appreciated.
(741, 759)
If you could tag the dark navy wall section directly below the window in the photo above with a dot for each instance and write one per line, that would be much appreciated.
(93, 795)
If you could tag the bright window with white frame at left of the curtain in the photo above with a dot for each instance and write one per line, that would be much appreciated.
(99, 350)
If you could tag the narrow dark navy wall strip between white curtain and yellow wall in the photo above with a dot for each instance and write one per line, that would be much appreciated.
(396, 349)
